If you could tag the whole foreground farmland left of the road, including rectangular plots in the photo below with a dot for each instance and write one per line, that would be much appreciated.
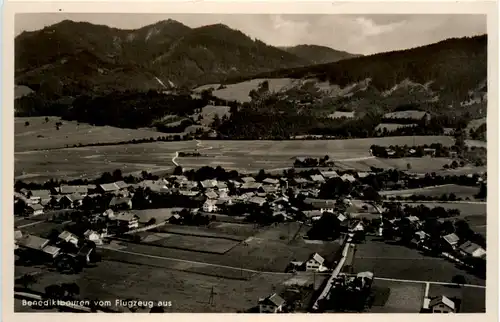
(186, 277)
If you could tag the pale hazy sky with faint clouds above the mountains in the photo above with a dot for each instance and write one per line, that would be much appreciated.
(361, 34)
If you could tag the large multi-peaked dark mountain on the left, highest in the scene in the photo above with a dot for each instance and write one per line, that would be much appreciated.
(84, 56)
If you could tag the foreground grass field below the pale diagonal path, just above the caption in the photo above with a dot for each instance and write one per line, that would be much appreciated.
(188, 292)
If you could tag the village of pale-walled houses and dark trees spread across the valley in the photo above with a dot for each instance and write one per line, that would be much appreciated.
(81, 220)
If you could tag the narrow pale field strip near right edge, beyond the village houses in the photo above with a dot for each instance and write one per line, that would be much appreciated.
(459, 191)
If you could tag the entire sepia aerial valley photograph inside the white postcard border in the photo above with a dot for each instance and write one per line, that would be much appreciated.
(250, 163)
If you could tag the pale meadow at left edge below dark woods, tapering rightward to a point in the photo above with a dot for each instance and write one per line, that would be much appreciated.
(42, 135)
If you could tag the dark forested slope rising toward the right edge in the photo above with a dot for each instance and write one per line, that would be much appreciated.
(448, 70)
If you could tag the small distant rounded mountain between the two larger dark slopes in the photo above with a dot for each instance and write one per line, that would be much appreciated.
(318, 54)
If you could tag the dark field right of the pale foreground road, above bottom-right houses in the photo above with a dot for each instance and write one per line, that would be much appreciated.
(399, 262)
